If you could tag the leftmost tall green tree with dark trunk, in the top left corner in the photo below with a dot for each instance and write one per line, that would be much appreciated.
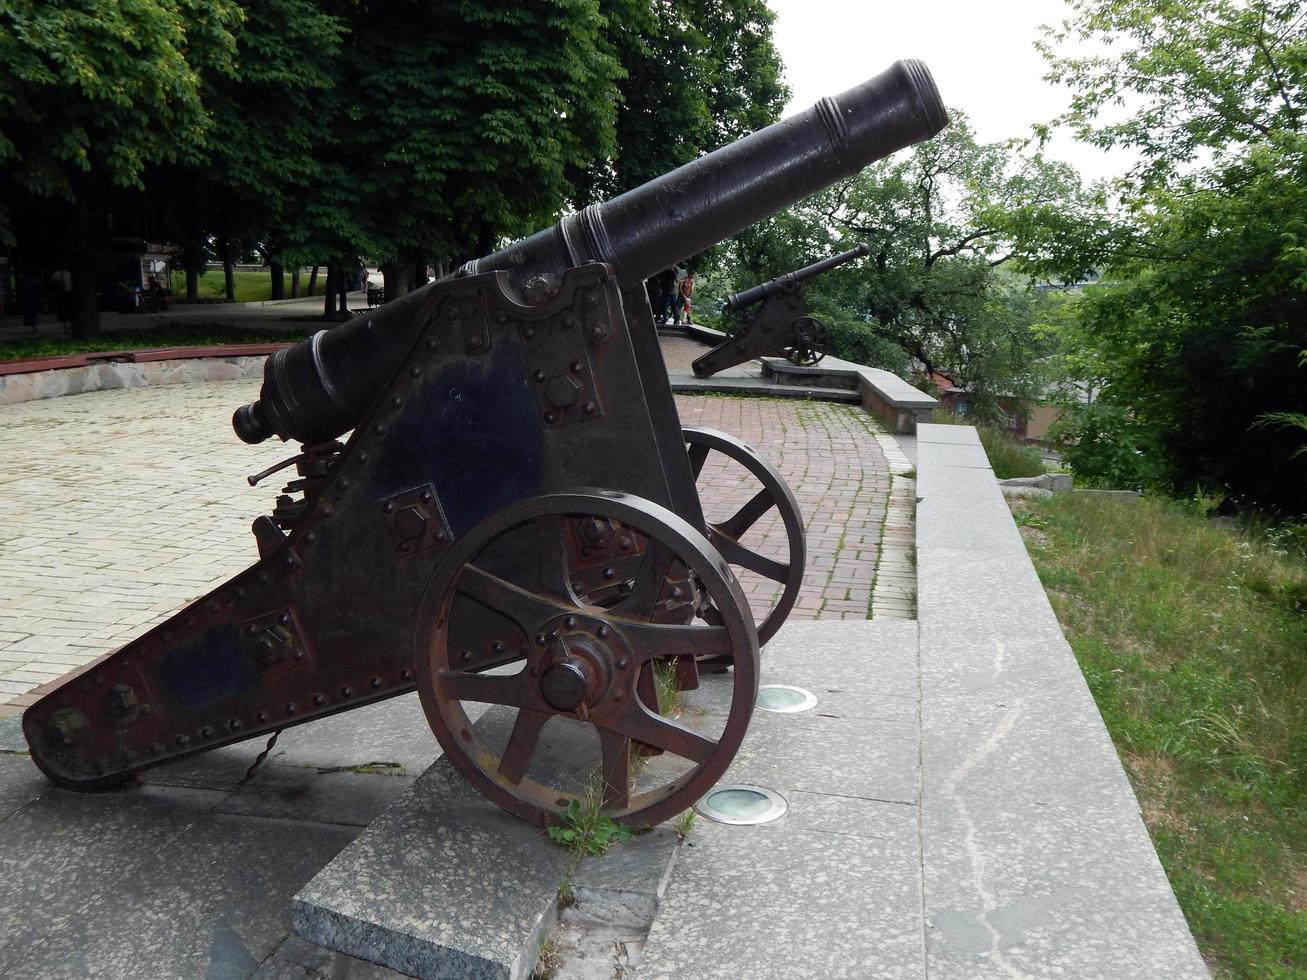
(97, 92)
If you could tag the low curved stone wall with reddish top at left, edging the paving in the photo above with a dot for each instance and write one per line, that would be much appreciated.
(127, 374)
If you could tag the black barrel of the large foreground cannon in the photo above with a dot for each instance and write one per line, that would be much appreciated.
(320, 389)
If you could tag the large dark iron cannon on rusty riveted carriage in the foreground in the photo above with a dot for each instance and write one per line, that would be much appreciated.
(513, 526)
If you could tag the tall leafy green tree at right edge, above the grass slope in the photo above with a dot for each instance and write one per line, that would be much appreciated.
(1203, 322)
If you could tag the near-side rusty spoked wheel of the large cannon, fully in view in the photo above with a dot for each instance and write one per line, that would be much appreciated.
(538, 696)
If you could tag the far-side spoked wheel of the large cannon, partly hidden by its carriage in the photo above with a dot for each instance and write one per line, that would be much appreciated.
(787, 569)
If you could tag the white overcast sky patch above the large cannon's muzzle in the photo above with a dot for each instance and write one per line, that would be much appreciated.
(982, 56)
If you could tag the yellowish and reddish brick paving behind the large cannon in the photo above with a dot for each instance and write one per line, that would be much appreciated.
(117, 508)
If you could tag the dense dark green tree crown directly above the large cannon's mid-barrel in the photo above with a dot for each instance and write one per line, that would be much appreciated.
(467, 121)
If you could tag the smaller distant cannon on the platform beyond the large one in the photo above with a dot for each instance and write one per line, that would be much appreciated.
(781, 326)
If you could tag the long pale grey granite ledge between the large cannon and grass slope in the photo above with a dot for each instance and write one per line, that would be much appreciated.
(1036, 860)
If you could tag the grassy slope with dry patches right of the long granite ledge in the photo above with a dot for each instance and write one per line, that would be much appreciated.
(1194, 640)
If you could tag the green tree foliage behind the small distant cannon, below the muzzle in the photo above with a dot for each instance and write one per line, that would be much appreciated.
(940, 220)
